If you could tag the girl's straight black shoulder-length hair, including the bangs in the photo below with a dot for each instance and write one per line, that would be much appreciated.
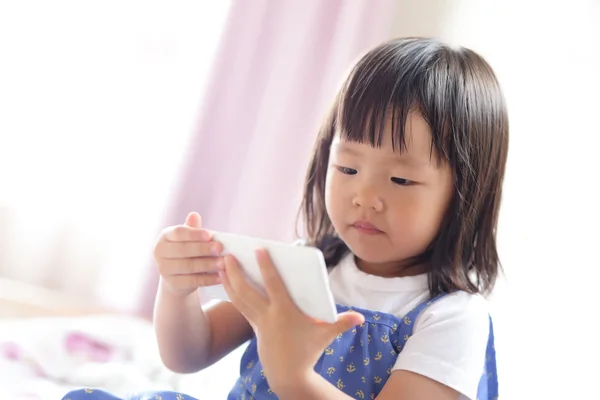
(457, 93)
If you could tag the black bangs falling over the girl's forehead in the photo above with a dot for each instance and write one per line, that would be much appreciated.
(387, 85)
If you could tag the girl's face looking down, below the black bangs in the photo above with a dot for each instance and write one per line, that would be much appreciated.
(385, 205)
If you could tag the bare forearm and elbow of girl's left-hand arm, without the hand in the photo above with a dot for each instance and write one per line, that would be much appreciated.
(190, 339)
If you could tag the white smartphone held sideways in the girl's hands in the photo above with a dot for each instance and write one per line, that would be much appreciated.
(302, 269)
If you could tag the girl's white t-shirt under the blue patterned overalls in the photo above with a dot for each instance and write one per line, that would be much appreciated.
(449, 337)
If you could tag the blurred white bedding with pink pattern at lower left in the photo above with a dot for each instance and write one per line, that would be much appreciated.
(43, 358)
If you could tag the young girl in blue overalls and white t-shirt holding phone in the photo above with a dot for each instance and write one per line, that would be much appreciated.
(402, 196)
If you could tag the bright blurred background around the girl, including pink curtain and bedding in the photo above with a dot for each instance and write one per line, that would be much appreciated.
(117, 118)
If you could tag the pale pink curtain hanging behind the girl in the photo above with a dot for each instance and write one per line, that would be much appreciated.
(275, 74)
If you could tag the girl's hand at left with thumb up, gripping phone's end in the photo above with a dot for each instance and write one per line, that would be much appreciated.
(187, 258)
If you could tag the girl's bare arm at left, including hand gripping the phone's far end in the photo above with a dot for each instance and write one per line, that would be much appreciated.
(190, 339)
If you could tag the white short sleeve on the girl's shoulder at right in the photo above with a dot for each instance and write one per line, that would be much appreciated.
(449, 342)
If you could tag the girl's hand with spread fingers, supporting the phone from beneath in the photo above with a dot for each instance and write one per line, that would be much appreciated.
(289, 342)
